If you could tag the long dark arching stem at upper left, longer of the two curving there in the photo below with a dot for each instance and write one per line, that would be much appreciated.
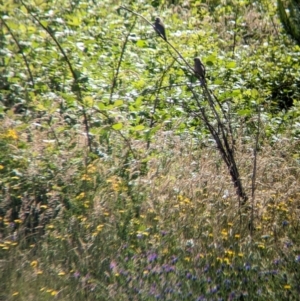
(78, 94)
